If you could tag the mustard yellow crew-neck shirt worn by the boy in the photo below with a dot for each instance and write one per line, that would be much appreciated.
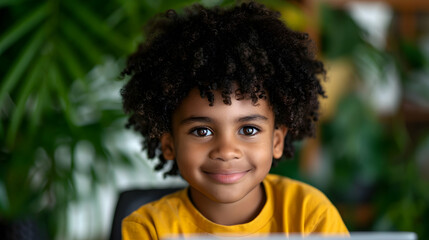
(291, 207)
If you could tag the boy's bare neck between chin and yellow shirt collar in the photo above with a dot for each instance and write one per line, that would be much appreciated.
(229, 214)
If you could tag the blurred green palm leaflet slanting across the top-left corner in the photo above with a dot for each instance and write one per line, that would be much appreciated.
(22, 27)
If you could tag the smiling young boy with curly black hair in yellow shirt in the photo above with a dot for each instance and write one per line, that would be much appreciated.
(223, 93)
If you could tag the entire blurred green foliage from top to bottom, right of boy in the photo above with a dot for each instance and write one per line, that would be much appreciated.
(371, 162)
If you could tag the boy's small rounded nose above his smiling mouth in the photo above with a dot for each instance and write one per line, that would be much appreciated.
(226, 149)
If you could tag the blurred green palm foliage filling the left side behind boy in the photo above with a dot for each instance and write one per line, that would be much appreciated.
(59, 99)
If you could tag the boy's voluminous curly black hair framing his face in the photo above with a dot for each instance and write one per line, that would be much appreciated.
(215, 49)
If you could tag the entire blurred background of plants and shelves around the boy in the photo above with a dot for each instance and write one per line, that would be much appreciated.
(65, 154)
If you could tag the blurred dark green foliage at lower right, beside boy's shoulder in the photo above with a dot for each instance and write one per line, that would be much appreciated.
(374, 164)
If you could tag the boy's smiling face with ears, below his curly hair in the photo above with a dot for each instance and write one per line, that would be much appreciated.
(223, 151)
